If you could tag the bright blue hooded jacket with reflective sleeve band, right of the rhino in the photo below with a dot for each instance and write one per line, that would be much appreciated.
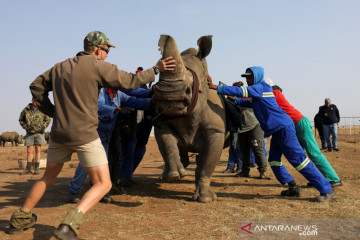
(271, 117)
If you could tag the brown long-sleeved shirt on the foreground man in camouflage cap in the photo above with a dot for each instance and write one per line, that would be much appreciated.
(76, 83)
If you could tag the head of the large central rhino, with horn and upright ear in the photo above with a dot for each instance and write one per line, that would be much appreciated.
(177, 91)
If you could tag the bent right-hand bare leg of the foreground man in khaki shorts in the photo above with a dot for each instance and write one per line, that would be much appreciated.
(100, 178)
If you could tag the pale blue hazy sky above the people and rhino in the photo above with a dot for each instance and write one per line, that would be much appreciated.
(309, 48)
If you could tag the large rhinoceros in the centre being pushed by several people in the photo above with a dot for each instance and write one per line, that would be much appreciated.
(190, 118)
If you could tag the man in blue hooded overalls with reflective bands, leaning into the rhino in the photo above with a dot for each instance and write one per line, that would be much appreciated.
(274, 121)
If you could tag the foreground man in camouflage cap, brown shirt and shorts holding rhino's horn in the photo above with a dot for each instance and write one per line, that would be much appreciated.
(76, 83)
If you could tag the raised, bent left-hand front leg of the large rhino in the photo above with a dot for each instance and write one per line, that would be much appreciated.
(168, 147)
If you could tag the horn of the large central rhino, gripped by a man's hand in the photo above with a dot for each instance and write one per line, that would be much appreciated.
(168, 47)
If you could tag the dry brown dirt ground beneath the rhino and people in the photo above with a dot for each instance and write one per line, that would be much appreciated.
(154, 209)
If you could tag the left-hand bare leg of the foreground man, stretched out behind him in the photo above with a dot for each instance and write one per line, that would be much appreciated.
(38, 190)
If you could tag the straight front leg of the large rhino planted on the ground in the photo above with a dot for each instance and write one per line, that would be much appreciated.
(206, 162)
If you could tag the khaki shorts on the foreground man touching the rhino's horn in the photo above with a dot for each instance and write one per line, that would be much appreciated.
(91, 154)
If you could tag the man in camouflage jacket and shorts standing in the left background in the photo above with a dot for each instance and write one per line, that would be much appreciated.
(34, 122)
